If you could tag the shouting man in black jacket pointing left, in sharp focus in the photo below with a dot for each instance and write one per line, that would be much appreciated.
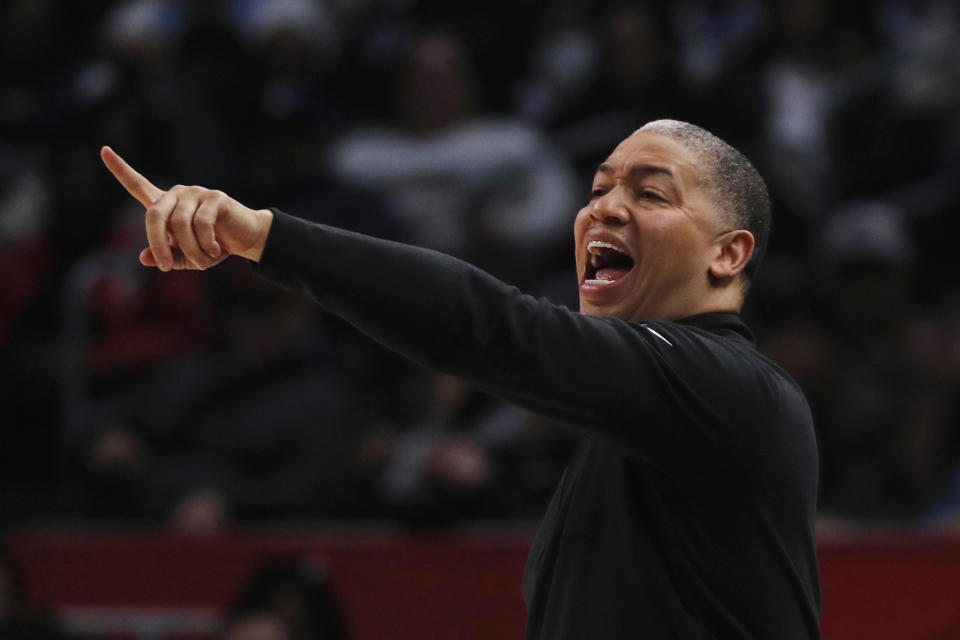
(688, 510)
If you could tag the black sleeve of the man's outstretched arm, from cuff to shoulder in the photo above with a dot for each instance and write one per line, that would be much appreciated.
(671, 394)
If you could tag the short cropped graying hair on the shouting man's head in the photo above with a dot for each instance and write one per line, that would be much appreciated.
(740, 192)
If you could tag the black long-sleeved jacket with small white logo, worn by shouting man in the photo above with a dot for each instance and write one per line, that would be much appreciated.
(687, 512)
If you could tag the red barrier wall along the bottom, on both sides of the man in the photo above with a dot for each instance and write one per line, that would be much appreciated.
(464, 586)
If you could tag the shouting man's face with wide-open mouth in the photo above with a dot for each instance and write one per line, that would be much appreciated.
(645, 241)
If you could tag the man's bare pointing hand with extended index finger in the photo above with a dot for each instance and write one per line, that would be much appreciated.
(191, 227)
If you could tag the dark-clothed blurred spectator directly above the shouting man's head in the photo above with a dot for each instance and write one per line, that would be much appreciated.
(596, 79)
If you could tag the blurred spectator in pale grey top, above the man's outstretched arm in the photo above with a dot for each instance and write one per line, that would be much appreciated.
(489, 190)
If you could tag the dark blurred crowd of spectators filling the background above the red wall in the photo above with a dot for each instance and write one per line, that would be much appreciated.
(201, 400)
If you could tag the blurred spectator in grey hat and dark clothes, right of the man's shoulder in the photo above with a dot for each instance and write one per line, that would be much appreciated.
(886, 432)
